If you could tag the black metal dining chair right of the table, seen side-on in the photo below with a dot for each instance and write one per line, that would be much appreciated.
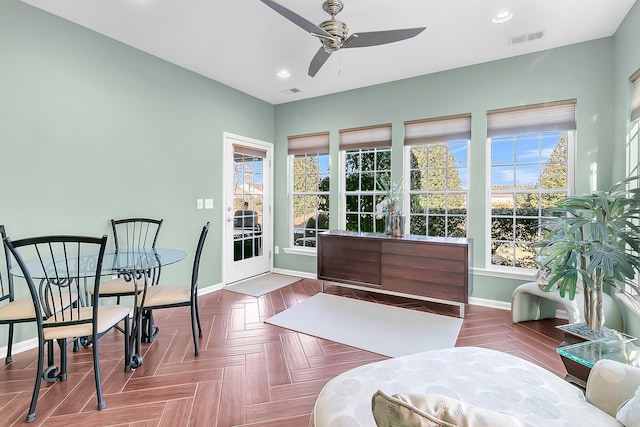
(168, 296)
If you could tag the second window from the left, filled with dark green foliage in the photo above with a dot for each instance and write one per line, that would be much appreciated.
(367, 159)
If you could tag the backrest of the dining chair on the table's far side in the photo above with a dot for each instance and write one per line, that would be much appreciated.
(135, 233)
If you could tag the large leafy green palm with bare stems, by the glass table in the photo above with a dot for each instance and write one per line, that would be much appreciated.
(593, 243)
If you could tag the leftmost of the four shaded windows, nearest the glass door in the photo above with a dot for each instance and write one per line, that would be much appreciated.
(310, 187)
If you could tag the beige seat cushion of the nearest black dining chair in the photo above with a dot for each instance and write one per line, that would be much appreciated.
(107, 317)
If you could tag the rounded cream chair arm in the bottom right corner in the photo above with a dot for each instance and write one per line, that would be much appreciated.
(610, 384)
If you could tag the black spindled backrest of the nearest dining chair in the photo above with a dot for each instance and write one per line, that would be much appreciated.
(63, 267)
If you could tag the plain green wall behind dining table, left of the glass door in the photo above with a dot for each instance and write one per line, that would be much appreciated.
(92, 129)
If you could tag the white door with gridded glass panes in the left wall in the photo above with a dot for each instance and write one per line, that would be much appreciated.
(247, 233)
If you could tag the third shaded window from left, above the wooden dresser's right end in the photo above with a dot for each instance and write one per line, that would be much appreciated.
(437, 151)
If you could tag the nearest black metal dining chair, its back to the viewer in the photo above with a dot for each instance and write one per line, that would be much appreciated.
(59, 269)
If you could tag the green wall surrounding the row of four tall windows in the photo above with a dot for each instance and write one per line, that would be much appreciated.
(588, 72)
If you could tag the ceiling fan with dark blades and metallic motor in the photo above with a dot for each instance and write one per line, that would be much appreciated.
(333, 34)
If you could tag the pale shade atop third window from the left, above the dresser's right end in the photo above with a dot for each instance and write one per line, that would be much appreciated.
(419, 132)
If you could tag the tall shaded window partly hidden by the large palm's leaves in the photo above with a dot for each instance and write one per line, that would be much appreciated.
(531, 158)
